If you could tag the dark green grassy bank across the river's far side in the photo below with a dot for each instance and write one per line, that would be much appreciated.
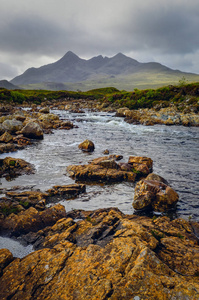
(181, 95)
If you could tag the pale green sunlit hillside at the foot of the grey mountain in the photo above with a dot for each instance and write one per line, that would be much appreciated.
(142, 80)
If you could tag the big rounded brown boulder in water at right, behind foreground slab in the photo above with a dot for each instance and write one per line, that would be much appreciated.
(154, 194)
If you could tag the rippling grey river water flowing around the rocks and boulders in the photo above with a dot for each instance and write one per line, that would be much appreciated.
(174, 150)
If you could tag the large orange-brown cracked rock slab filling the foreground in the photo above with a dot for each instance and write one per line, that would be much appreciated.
(106, 255)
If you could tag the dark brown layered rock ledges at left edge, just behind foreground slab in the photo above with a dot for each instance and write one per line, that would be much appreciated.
(24, 211)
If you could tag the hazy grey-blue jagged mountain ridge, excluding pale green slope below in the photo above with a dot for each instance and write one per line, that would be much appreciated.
(72, 69)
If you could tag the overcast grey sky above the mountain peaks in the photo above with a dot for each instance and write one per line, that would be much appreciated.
(34, 33)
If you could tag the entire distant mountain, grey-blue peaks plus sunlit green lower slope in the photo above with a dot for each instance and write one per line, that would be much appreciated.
(73, 72)
